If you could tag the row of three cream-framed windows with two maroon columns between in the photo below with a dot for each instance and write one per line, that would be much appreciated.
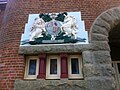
(53, 67)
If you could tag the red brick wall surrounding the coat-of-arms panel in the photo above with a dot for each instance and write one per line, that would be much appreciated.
(16, 15)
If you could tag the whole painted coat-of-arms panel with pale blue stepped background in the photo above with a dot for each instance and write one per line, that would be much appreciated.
(54, 28)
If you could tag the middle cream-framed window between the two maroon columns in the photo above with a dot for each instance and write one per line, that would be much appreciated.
(53, 67)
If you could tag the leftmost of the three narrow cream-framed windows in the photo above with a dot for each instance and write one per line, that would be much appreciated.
(31, 70)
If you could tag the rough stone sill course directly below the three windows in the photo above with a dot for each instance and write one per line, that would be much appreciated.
(49, 85)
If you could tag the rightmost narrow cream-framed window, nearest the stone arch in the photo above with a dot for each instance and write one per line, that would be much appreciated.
(75, 67)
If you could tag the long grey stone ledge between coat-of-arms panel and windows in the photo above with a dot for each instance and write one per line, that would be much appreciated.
(53, 48)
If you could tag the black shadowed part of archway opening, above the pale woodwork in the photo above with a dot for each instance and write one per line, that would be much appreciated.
(114, 42)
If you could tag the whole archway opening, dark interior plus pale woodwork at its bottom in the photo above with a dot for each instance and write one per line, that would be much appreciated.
(114, 43)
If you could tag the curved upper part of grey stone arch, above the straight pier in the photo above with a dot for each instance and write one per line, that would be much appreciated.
(103, 24)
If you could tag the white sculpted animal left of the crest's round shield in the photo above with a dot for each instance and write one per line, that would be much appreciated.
(37, 29)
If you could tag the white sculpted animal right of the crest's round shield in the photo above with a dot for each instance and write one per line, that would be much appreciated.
(70, 26)
